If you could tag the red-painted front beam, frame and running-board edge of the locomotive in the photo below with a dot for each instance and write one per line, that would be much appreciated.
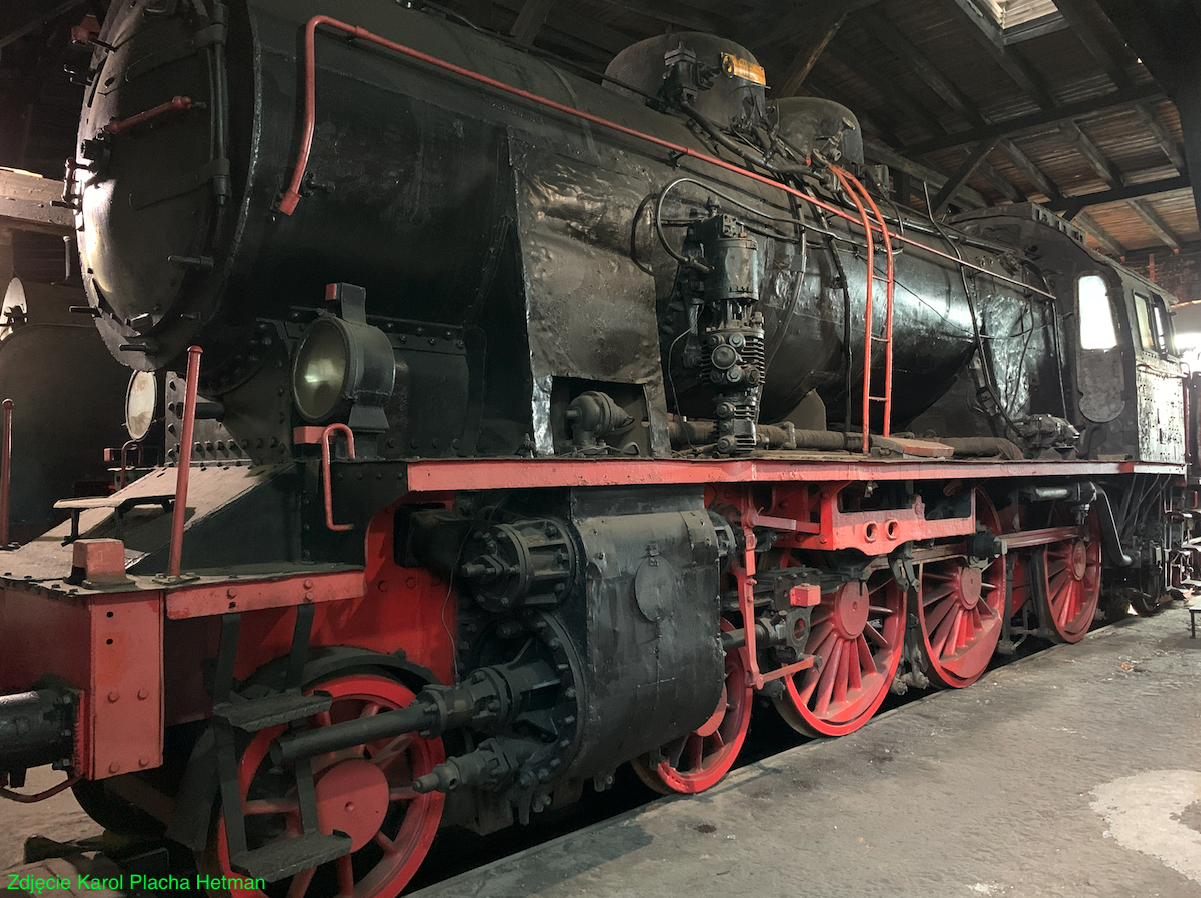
(384, 607)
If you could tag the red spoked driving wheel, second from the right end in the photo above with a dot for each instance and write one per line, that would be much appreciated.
(960, 610)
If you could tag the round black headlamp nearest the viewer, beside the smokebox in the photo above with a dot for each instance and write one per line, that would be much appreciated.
(345, 370)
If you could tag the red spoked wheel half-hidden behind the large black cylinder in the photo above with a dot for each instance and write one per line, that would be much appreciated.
(701, 759)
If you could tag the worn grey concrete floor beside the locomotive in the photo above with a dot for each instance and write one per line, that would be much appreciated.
(1074, 774)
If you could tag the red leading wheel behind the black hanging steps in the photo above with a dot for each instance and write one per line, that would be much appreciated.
(365, 792)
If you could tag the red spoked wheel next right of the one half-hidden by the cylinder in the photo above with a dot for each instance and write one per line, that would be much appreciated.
(858, 632)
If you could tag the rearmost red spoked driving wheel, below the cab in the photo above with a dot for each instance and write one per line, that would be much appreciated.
(1072, 579)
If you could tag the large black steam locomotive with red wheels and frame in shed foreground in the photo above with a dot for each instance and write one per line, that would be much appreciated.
(517, 427)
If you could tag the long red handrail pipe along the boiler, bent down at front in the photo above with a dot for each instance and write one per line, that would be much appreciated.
(292, 195)
